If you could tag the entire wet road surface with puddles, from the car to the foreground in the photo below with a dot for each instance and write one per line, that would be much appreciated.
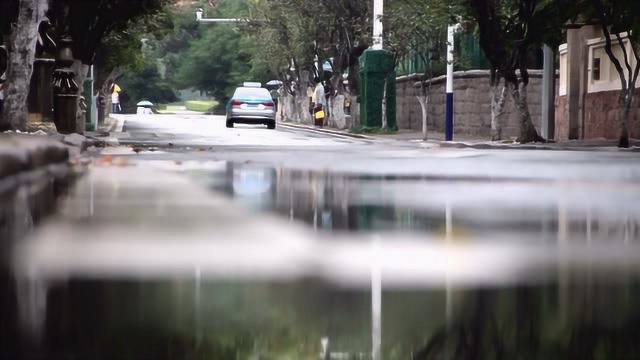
(187, 238)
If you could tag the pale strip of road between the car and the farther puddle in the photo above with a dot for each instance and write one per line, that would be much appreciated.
(198, 137)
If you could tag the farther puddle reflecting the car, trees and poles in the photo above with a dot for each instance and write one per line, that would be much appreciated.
(582, 212)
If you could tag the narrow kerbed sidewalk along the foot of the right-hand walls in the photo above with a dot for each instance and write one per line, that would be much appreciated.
(437, 140)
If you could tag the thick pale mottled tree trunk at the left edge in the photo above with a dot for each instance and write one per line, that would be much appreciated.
(21, 49)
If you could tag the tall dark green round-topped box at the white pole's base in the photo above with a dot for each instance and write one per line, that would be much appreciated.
(377, 82)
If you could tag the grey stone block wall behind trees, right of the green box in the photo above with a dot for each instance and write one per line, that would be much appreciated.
(472, 104)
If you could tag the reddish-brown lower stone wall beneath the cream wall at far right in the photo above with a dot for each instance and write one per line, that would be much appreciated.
(602, 116)
